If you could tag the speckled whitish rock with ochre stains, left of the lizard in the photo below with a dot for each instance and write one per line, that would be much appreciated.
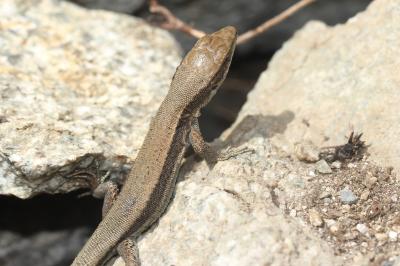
(77, 91)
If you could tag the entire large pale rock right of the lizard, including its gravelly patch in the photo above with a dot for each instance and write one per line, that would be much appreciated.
(255, 209)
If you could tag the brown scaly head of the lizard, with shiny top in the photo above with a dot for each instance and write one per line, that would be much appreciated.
(203, 69)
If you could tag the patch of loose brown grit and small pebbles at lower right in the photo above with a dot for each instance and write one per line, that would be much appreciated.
(366, 226)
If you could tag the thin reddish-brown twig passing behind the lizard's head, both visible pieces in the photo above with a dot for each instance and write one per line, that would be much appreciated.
(172, 22)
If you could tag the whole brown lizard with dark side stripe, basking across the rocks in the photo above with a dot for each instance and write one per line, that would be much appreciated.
(148, 188)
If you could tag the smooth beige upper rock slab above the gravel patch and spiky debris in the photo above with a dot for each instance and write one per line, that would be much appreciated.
(338, 79)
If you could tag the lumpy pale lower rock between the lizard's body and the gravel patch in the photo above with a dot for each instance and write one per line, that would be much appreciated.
(228, 215)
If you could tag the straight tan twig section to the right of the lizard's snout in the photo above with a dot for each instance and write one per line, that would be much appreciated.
(273, 21)
